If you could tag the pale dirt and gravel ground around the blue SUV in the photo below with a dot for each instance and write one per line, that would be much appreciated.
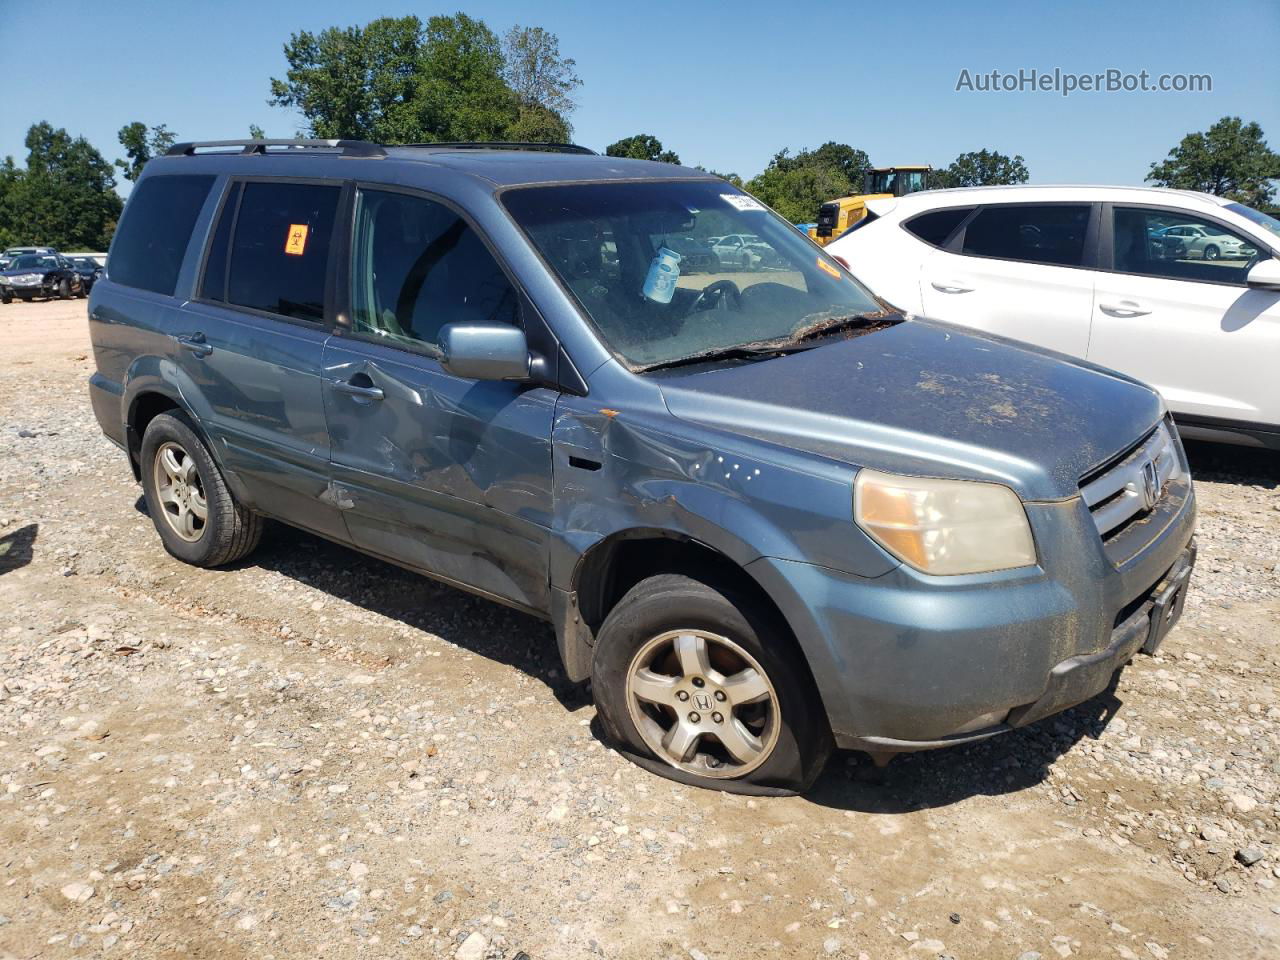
(317, 755)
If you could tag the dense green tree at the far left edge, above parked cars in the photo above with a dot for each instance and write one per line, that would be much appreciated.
(65, 198)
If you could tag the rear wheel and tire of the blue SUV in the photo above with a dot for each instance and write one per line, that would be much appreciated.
(194, 511)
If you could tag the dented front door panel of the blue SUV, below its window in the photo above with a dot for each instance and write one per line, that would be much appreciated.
(444, 474)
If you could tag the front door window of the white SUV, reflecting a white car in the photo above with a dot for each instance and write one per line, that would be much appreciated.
(1171, 244)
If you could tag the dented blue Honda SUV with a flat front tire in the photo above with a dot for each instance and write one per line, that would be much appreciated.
(766, 514)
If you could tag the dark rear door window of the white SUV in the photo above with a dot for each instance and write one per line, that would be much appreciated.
(1034, 234)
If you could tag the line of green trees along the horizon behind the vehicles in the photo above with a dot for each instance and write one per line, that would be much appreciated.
(400, 80)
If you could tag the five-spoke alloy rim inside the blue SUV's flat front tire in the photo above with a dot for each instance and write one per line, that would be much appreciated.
(703, 705)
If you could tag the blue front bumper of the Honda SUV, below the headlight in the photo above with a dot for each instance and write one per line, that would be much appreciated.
(911, 662)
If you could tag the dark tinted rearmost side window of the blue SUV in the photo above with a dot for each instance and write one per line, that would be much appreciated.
(153, 237)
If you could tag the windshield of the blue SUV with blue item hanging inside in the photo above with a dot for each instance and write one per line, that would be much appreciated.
(678, 272)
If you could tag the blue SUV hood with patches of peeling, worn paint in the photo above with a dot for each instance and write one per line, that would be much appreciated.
(931, 400)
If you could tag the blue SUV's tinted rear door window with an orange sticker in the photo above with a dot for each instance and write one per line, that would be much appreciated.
(280, 252)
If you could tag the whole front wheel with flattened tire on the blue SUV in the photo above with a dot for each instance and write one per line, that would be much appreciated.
(702, 684)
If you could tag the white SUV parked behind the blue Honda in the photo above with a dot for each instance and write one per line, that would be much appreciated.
(1124, 277)
